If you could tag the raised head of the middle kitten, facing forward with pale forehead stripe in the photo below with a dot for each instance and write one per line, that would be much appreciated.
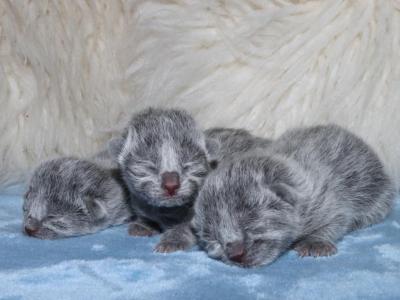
(163, 157)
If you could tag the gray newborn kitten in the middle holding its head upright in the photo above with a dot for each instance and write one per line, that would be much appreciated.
(162, 157)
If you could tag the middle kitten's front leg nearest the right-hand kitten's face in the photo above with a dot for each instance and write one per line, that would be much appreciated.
(179, 237)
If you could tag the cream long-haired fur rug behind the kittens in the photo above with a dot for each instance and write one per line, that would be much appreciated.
(71, 72)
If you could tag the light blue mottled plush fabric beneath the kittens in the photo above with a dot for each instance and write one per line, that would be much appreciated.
(112, 265)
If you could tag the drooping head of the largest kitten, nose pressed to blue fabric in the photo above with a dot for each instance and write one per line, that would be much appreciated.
(242, 216)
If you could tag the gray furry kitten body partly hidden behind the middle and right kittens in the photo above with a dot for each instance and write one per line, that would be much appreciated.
(224, 143)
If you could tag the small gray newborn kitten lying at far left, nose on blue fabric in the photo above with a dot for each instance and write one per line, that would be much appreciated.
(70, 197)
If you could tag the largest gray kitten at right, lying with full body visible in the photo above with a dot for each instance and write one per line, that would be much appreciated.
(306, 191)
